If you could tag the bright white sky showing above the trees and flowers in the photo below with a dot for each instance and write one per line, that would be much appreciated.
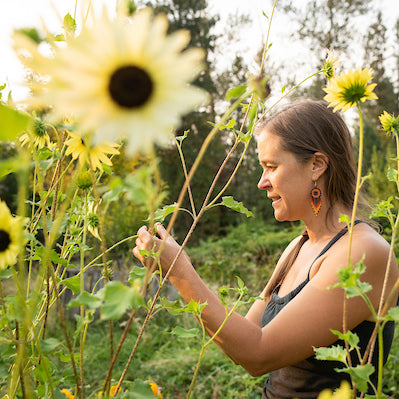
(28, 13)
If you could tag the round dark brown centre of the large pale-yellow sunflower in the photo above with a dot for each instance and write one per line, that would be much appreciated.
(130, 86)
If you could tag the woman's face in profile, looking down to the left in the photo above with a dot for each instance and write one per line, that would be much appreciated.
(287, 181)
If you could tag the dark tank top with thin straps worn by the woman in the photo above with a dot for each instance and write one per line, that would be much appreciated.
(307, 378)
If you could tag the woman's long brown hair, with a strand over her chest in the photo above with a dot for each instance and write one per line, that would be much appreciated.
(307, 127)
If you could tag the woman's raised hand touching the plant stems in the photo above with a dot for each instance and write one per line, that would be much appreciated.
(170, 249)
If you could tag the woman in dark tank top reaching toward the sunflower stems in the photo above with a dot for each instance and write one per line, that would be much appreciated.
(306, 155)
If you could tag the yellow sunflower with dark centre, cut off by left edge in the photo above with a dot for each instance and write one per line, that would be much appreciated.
(11, 236)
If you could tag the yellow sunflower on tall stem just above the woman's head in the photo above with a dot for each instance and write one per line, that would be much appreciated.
(348, 89)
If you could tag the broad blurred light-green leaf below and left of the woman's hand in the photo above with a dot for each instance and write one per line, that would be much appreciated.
(117, 298)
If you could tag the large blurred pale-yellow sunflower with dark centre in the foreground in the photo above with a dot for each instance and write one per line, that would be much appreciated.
(119, 78)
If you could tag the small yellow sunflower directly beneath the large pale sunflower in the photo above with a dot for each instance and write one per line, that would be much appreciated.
(80, 148)
